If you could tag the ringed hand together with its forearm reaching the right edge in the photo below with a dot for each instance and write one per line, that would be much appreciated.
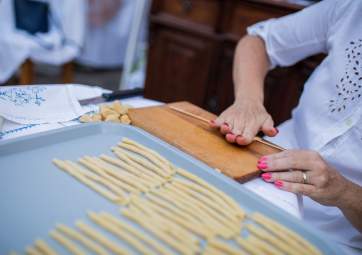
(324, 184)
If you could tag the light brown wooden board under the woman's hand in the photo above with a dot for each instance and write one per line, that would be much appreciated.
(196, 138)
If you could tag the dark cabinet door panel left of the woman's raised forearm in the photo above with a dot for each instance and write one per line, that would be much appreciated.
(178, 66)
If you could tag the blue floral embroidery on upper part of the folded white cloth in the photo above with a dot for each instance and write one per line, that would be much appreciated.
(23, 96)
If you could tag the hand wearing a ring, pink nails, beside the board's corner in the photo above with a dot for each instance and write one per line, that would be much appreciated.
(304, 172)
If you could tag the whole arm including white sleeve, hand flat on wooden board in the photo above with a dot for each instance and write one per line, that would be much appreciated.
(277, 42)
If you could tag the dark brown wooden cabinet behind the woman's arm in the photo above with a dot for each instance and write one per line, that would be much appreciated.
(191, 52)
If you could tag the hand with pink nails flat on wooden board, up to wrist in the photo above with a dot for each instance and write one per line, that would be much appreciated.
(243, 120)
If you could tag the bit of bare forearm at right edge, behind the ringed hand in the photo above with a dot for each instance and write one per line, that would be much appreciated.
(350, 204)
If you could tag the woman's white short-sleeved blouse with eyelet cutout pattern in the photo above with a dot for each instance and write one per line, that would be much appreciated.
(328, 117)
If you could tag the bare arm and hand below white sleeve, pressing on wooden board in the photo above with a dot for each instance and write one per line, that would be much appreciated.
(243, 120)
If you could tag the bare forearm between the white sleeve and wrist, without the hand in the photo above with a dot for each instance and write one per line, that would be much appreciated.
(250, 68)
